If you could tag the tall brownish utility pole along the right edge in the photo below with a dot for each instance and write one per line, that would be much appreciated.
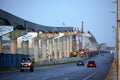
(118, 39)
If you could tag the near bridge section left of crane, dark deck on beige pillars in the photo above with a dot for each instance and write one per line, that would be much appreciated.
(58, 38)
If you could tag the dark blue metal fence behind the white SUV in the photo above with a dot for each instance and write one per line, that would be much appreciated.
(11, 60)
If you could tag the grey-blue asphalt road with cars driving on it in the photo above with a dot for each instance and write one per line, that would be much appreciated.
(65, 72)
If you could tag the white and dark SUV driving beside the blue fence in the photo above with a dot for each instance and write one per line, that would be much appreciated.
(27, 64)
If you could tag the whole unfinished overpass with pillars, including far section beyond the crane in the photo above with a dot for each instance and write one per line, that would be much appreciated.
(48, 42)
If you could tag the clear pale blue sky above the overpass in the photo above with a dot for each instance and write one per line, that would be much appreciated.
(96, 14)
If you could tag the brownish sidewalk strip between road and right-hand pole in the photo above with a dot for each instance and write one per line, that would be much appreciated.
(112, 75)
